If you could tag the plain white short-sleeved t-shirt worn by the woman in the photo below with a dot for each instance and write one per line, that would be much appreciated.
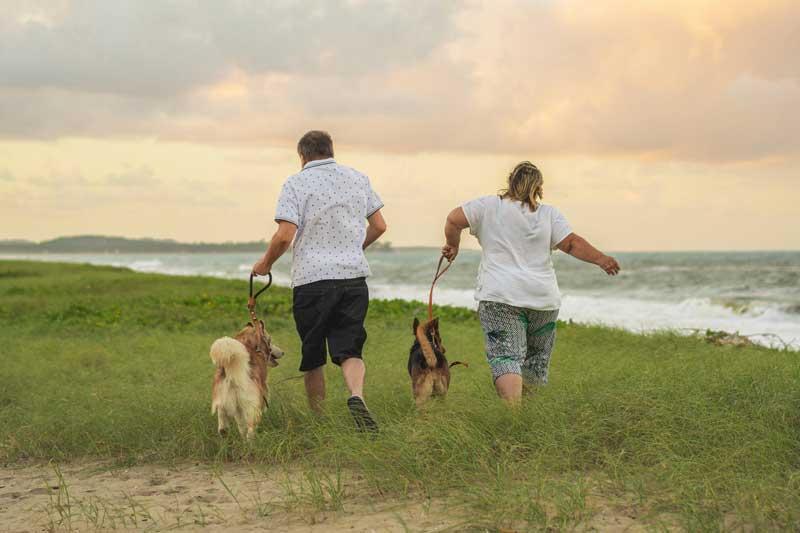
(516, 266)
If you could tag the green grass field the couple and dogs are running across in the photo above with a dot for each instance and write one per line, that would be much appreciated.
(103, 362)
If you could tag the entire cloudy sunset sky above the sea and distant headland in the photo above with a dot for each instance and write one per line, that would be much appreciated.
(658, 125)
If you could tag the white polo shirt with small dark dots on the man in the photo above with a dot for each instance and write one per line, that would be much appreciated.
(329, 203)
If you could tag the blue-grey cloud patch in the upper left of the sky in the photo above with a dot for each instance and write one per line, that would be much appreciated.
(160, 49)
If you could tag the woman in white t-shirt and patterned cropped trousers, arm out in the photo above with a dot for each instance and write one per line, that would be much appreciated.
(517, 289)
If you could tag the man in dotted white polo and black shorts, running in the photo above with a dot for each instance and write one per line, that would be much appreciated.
(322, 209)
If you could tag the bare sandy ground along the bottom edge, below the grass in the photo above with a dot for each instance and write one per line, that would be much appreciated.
(92, 497)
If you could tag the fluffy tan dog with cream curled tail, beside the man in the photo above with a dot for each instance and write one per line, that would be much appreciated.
(240, 390)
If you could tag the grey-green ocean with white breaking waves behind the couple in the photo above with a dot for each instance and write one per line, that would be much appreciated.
(753, 293)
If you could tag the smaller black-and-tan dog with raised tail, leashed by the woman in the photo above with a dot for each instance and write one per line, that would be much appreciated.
(427, 365)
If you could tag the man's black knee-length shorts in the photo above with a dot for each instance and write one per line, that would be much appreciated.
(332, 312)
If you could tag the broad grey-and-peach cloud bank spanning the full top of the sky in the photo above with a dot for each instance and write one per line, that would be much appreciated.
(689, 79)
